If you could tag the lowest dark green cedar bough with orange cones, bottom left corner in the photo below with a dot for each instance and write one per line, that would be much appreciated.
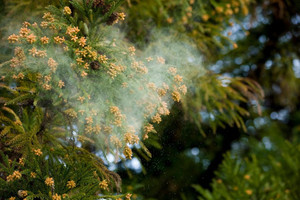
(62, 164)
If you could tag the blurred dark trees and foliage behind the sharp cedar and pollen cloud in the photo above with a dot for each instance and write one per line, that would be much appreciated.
(236, 134)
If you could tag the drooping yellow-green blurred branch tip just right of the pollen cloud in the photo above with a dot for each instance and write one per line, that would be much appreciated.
(217, 101)
